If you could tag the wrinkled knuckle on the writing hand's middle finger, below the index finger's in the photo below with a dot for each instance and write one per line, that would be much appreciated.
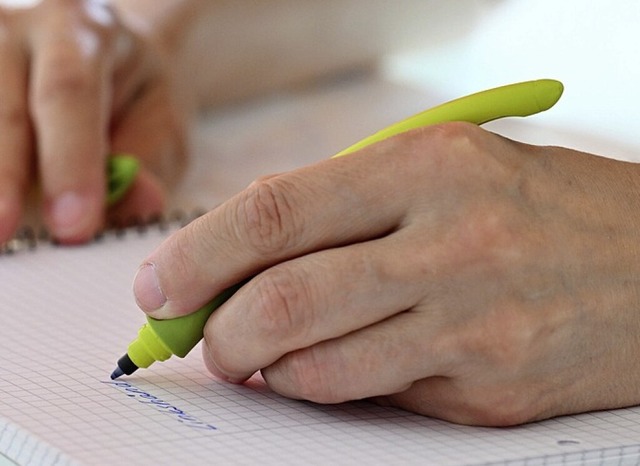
(284, 304)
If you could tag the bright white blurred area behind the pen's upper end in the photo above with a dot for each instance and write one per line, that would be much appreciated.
(593, 47)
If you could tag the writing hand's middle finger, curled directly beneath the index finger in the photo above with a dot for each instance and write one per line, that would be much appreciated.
(318, 297)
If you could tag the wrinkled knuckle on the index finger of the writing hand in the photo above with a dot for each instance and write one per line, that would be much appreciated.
(270, 219)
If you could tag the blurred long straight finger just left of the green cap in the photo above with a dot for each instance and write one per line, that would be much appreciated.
(70, 102)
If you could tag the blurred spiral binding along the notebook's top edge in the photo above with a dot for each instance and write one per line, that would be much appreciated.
(29, 238)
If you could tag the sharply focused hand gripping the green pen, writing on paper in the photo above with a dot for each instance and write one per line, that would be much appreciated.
(447, 271)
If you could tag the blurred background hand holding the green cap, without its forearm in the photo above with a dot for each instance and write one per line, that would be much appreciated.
(76, 85)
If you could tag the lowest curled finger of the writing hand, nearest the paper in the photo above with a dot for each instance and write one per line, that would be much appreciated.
(384, 358)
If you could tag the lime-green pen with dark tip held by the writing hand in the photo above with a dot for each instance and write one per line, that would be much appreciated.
(158, 340)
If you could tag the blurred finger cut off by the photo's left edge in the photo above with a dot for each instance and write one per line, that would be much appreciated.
(15, 139)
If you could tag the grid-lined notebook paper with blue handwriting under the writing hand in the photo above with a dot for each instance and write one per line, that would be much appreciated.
(67, 314)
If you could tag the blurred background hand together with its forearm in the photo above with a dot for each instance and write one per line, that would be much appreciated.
(85, 78)
